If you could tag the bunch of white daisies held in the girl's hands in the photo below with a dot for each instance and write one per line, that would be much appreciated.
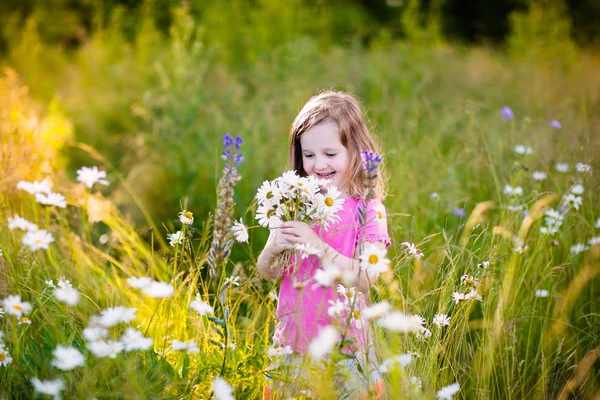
(294, 198)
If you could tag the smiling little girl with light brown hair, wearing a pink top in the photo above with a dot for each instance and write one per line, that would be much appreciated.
(326, 141)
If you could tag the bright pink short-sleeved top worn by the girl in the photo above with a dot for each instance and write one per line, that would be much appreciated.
(303, 312)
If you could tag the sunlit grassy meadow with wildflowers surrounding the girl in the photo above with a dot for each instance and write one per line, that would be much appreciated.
(131, 284)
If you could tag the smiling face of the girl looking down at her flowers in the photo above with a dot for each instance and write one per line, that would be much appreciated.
(324, 155)
